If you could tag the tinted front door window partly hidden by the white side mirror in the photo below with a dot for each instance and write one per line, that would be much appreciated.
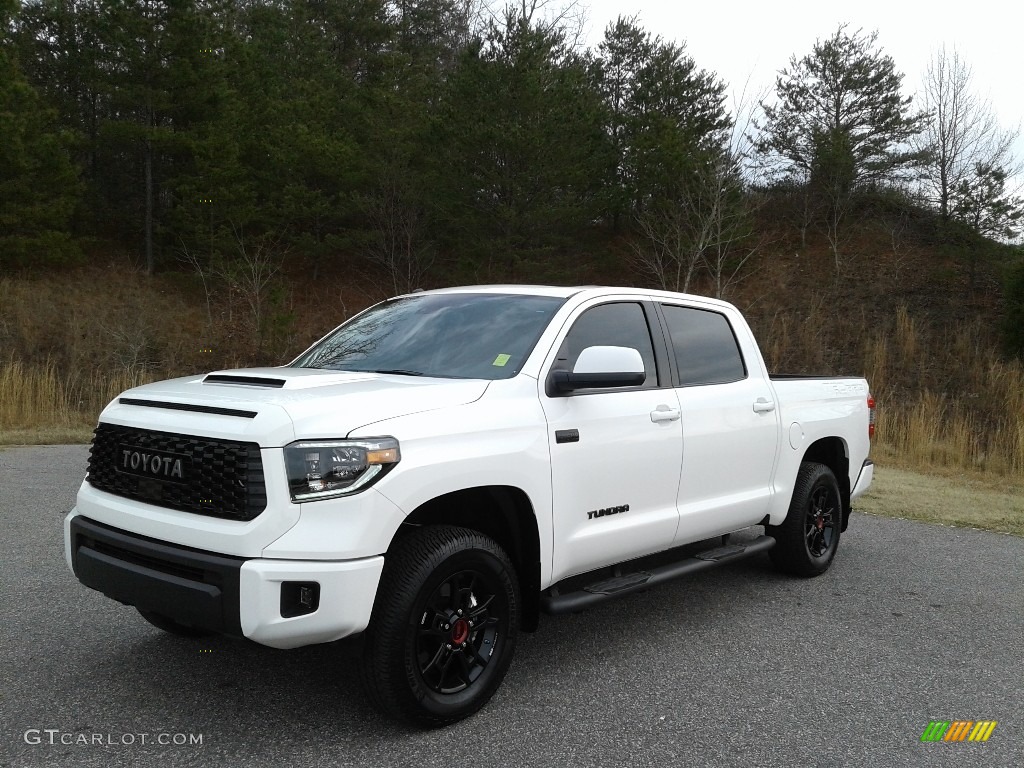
(620, 325)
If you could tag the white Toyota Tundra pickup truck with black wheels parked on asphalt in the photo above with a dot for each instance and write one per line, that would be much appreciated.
(446, 465)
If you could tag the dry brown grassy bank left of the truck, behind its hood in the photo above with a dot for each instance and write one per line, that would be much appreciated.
(71, 343)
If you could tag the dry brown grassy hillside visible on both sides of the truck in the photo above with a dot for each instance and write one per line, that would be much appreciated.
(947, 400)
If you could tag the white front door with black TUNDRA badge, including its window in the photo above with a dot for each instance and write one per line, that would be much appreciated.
(616, 454)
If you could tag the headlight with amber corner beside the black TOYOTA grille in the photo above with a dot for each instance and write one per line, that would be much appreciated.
(324, 470)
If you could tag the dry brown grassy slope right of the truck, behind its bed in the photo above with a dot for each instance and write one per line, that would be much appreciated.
(946, 397)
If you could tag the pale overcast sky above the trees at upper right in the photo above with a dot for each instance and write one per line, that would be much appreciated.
(744, 40)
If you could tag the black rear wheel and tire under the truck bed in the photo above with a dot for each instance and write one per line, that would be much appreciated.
(807, 540)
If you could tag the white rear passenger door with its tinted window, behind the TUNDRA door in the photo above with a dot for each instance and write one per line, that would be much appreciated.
(730, 423)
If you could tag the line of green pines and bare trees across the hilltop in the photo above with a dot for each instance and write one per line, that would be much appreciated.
(221, 133)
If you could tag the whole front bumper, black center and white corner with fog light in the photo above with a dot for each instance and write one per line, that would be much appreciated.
(225, 594)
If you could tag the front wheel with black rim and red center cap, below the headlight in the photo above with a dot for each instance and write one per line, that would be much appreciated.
(444, 626)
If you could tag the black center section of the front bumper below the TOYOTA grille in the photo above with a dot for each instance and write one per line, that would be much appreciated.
(190, 586)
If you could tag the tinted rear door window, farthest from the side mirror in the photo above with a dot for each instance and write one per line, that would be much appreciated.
(705, 347)
